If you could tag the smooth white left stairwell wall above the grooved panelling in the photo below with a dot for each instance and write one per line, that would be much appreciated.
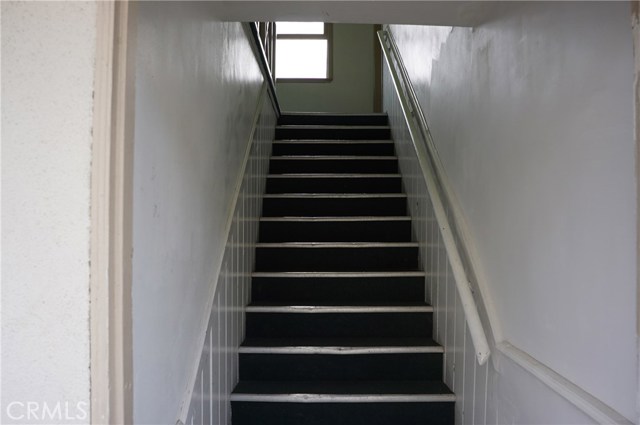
(197, 87)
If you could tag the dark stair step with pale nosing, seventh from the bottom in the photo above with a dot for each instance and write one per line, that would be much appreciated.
(314, 205)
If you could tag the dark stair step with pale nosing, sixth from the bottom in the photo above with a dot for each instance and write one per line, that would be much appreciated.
(335, 229)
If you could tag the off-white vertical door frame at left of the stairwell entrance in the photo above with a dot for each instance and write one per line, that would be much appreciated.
(111, 215)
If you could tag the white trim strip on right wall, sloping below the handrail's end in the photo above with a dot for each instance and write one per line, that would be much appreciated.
(592, 406)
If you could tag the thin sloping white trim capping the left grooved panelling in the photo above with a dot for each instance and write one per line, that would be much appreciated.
(204, 322)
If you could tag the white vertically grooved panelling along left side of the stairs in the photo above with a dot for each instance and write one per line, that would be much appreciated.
(217, 372)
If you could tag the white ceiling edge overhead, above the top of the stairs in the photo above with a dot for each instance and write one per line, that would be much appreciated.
(450, 13)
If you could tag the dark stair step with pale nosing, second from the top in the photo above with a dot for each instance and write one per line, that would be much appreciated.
(352, 132)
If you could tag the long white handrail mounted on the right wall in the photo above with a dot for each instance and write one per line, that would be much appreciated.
(419, 130)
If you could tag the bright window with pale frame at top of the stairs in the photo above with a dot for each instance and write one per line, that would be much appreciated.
(303, 51)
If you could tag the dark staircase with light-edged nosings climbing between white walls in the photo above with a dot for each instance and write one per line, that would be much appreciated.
(337, 331)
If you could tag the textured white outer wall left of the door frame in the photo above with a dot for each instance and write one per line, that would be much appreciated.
(48, 54)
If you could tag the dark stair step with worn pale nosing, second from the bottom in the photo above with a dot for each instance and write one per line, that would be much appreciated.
(340, 359)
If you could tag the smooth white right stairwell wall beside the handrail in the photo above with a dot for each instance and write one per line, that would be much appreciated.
(532, 116)
